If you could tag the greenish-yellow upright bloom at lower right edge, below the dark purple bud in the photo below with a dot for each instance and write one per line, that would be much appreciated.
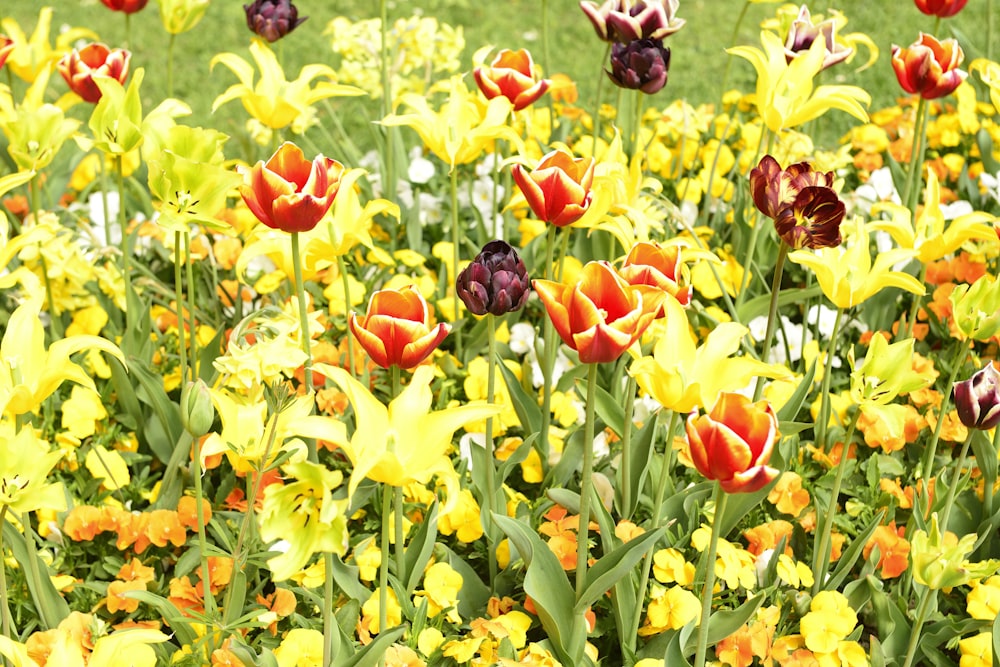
(942, 563)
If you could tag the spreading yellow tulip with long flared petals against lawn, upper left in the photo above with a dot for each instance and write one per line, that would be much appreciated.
(273, 100)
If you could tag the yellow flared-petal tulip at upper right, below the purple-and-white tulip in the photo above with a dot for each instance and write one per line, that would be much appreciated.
(785, 94)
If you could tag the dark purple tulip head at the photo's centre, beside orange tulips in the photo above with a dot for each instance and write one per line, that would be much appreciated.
(495, 282)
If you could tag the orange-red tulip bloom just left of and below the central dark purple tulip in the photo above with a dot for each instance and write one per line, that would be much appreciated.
(396, 330)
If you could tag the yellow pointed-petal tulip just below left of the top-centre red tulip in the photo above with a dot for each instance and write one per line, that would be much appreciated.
(464, 127)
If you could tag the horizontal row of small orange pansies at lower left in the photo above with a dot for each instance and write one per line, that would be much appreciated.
(135, 530)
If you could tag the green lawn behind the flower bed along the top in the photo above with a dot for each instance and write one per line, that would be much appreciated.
(698, 56)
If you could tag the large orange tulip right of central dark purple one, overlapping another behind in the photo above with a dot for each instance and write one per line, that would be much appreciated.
(600, 316)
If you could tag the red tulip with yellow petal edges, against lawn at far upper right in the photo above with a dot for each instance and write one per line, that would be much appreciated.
(929, 67)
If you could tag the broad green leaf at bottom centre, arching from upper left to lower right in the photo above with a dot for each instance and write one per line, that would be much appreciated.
(546, 583)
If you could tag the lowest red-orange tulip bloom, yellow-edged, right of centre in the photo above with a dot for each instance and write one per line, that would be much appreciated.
(733, 443)
